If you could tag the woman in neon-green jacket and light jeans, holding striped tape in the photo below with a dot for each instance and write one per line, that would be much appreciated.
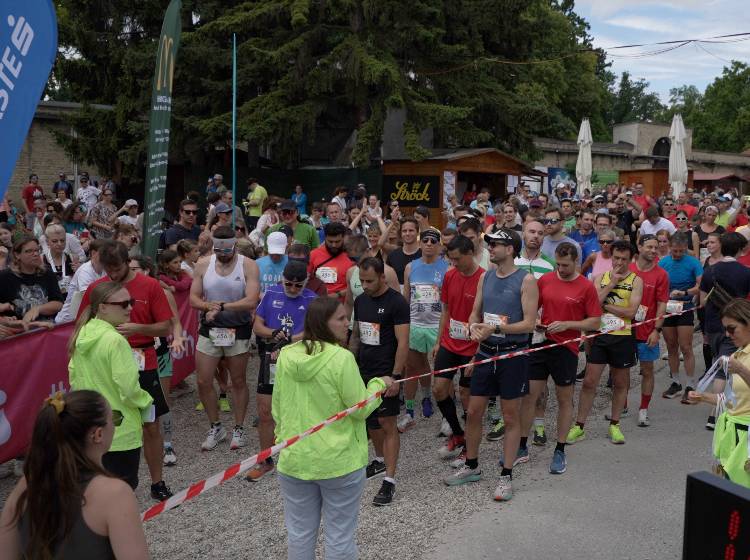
(325, 473)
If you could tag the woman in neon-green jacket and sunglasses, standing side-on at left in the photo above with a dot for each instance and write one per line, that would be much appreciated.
(101, 360)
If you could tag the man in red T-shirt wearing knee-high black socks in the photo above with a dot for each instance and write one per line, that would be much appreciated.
(455, 347)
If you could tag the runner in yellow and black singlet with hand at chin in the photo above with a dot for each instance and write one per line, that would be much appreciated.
(619, 292)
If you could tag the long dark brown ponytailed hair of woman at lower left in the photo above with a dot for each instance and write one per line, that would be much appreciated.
(56, 465)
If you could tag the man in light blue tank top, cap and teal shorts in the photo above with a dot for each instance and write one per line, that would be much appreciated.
(423, 280)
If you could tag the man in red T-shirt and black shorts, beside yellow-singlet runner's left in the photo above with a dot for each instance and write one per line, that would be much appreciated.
(568, 305)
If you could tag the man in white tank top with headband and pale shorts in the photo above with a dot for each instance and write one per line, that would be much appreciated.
(225, 290)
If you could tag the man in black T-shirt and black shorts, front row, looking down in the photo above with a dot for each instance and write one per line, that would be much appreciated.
(380, 340)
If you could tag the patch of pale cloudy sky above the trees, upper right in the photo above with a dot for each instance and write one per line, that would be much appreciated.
(622, 22)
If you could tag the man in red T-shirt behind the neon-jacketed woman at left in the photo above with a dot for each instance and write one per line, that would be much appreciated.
(149, 318)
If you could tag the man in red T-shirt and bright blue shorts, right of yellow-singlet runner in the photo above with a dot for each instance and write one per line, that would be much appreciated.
(653, 304)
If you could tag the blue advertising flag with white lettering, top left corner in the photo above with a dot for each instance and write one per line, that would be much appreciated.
(28, 46)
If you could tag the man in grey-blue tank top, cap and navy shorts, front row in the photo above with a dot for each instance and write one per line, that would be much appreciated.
(504, 314)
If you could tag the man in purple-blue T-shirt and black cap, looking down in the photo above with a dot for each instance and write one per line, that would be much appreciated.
(279, 320)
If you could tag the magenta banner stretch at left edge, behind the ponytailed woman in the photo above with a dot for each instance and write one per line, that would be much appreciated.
(35, 365)
